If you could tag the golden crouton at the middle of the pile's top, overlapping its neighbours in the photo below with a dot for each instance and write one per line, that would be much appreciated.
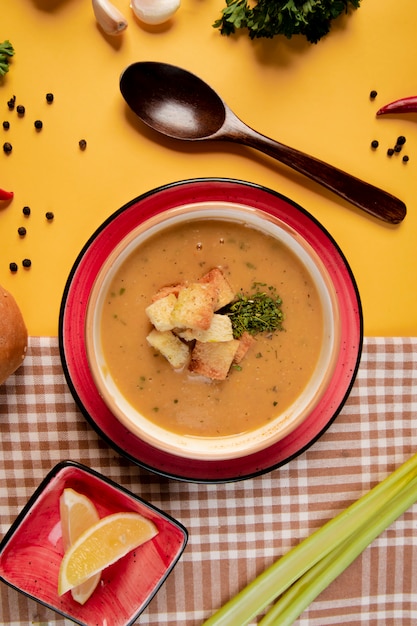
(194, 306)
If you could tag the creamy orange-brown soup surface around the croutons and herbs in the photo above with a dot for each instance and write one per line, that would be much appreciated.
(276, 368)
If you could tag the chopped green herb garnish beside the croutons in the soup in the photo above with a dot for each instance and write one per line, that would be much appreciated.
(256, 313)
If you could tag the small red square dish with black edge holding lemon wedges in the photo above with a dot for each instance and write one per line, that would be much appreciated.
(32, 550)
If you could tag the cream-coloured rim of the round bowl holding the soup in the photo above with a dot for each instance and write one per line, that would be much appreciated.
(232, 446)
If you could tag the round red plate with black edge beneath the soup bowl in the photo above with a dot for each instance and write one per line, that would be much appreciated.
(74, 307)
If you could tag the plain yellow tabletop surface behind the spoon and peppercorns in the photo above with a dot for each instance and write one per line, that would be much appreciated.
(312, 97)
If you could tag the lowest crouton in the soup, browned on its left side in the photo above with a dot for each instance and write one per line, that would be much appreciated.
(213, 360)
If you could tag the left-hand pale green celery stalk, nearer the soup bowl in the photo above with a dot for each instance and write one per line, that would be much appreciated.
(263, 590)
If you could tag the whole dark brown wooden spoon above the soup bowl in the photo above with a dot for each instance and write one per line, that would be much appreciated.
(178, 104)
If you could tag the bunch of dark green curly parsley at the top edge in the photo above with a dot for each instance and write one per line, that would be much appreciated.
(267, 18)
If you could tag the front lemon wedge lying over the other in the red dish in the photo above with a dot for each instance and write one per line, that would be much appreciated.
(102, 544)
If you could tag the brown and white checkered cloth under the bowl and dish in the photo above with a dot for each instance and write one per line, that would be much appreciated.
(236, 529)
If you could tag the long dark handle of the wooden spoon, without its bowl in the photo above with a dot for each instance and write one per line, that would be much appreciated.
(371, 199)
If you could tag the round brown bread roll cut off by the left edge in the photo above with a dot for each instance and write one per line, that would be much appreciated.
(13, 335)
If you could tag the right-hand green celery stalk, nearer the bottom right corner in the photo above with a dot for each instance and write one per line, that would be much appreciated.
(293, 602)
